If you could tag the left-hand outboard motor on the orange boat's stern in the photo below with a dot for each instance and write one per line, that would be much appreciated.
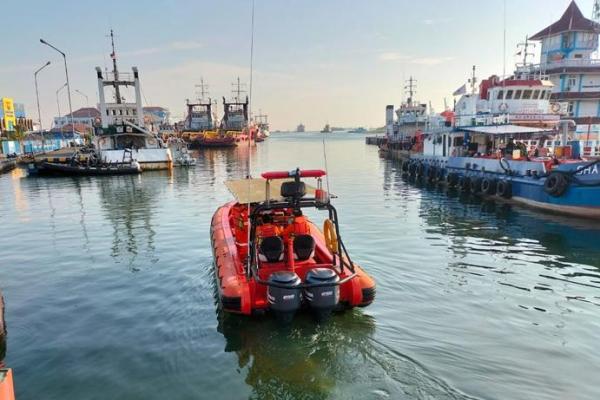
(285, 300)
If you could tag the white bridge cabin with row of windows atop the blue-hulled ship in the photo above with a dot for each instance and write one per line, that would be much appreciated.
(514, 100)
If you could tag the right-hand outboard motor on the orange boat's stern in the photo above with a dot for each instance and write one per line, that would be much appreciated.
(325, 297)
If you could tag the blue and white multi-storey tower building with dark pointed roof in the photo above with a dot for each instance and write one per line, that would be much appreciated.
(567, 58)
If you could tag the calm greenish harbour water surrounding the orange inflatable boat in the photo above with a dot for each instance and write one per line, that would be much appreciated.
(109, 290)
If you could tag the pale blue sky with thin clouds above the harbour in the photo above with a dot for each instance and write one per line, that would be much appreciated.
(337, 61)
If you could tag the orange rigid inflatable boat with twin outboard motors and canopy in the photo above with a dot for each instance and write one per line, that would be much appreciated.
(270, 257)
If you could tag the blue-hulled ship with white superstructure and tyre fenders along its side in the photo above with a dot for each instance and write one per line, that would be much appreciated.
(480, 150)
